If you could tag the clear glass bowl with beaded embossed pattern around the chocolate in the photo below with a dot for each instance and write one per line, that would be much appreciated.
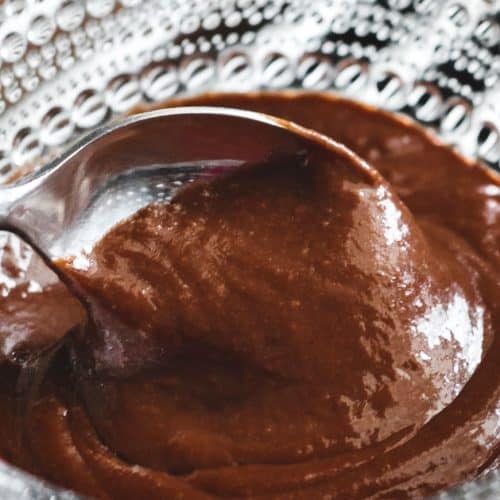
(67, 66)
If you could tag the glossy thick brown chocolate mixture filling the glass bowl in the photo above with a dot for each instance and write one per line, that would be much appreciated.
(295, 329)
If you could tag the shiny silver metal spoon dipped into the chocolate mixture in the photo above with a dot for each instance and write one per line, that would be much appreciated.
(67, 206)
